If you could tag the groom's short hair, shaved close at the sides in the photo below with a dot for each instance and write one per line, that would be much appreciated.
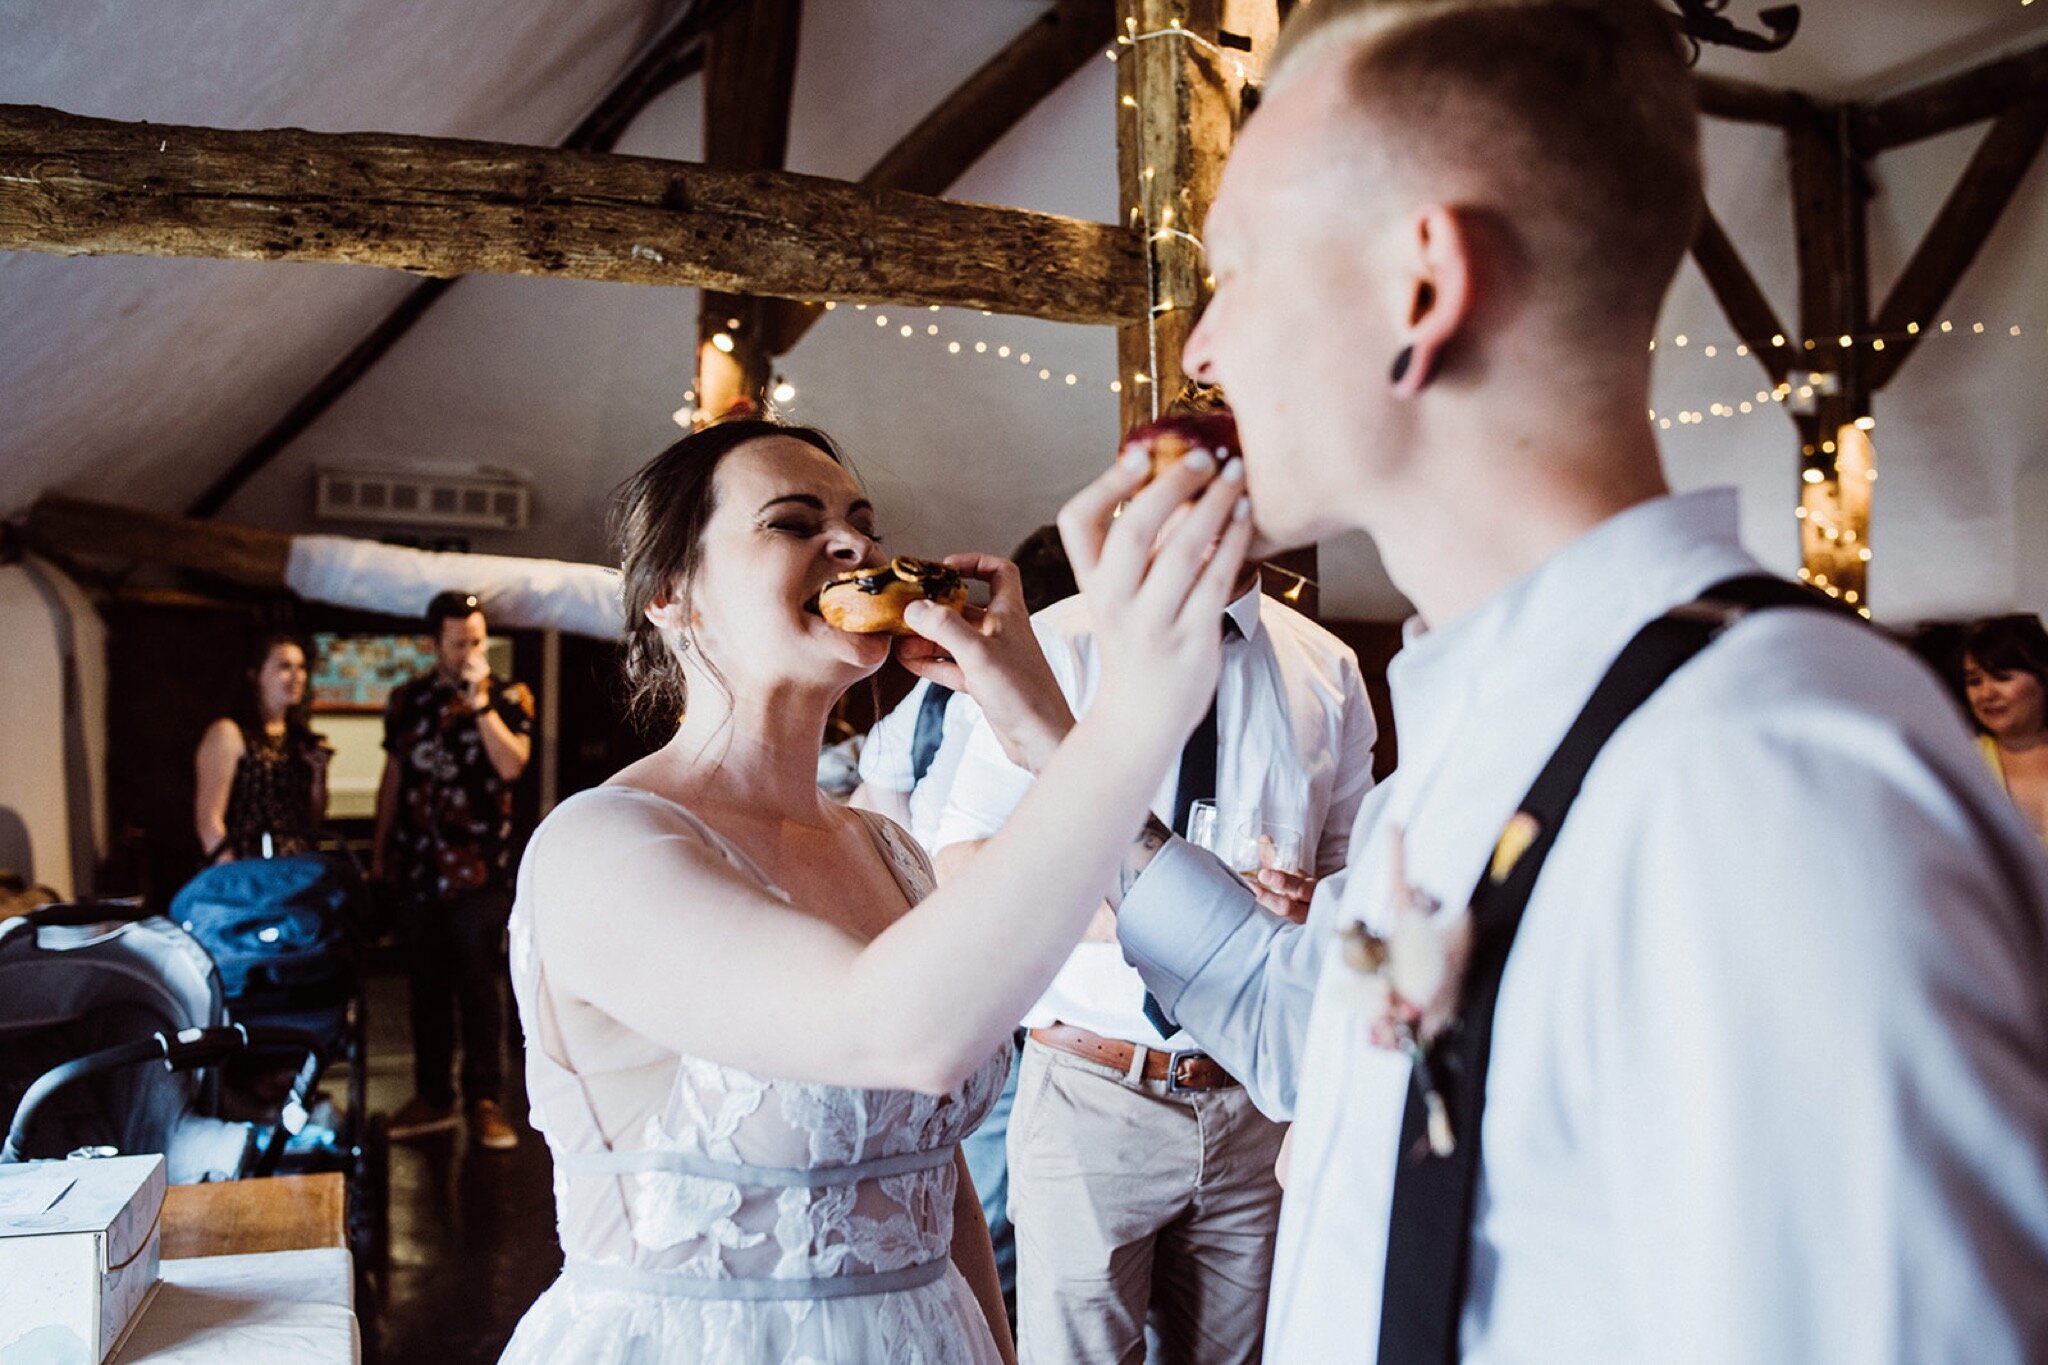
(1578, 114)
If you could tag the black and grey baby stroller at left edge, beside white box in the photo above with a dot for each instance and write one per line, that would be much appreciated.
(112, 1039)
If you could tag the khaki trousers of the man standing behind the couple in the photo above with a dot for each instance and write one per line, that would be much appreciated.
(1132, 1200)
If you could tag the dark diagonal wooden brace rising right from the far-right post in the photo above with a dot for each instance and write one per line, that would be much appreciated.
(1959, 234)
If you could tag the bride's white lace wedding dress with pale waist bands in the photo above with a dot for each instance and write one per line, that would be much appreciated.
(744, 1219)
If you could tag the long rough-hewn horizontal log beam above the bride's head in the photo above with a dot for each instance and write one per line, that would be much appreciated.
(439, 208)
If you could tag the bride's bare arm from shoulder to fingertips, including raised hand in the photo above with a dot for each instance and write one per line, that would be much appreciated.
(654, 928)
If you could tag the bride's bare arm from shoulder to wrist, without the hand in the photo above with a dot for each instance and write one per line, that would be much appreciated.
(642, 916)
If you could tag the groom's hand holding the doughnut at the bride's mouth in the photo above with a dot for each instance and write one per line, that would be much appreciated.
(992, 656)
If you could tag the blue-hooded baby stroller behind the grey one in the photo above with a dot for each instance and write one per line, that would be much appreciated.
(286, 936)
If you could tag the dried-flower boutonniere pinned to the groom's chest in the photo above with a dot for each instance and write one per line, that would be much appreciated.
(1414, 977)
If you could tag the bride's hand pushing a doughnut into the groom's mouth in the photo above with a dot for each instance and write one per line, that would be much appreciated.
(1158, 580)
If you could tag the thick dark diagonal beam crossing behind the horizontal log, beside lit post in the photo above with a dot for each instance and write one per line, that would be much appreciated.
(962, 130)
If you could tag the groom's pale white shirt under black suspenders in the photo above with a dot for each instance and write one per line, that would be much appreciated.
(1770, 1059)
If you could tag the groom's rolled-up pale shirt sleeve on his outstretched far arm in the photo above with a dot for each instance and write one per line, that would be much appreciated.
(1236, 977)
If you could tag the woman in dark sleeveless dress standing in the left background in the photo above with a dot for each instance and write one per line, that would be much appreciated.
(263, 770)
